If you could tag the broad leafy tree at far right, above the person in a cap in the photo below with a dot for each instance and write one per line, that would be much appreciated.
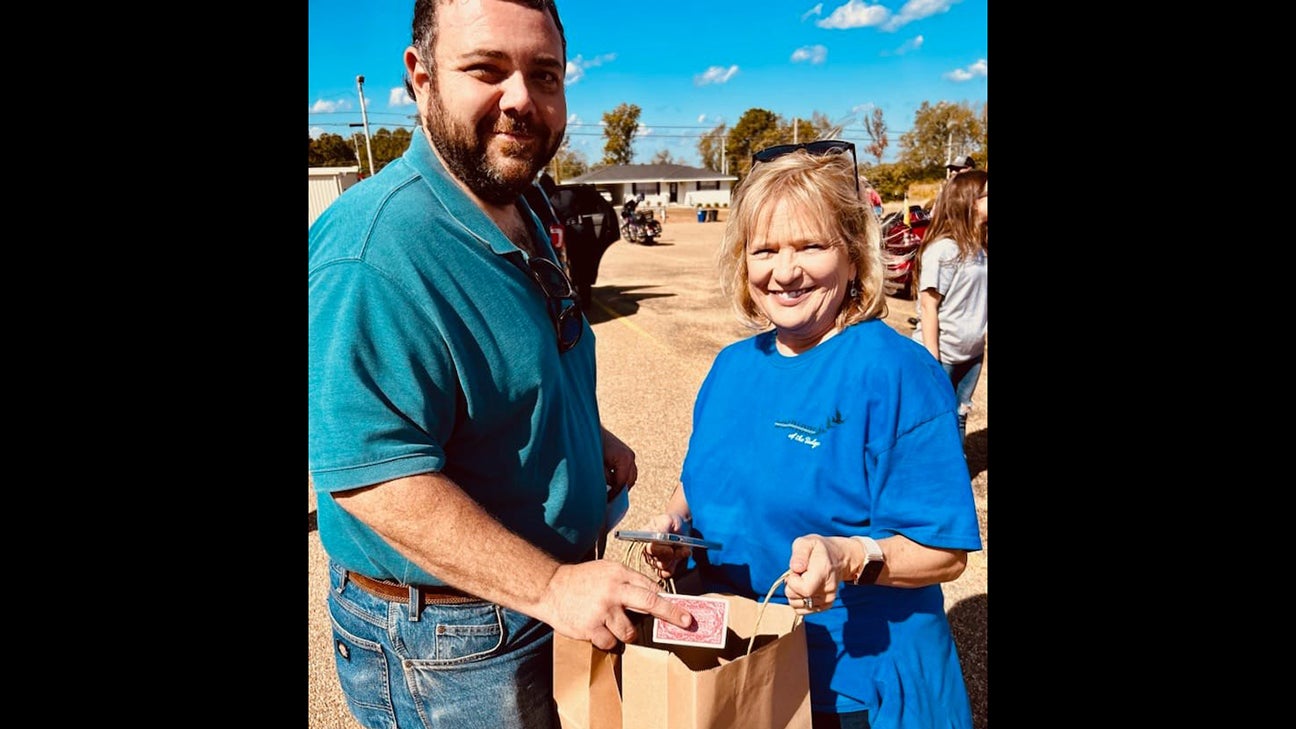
(940, 134)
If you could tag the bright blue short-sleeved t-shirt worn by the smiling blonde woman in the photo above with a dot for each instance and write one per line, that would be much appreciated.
(856, 436)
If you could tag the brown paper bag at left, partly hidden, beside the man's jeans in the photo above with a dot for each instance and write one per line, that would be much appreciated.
(586, 687)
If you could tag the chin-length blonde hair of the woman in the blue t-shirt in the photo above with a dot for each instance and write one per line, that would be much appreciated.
(825, 187)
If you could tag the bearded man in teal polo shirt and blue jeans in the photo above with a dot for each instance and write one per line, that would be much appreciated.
(456, 444)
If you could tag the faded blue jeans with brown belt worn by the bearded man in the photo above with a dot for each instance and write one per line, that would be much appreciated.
(472, 666)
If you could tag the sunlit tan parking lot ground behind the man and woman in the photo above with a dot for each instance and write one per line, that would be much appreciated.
(660, 320)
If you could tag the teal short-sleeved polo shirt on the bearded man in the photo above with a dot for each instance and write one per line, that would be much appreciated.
(432, 350)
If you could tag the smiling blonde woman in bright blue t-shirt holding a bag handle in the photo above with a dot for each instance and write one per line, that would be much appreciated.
(827, 447)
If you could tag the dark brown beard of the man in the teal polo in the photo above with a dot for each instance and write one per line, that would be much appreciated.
(465, 152)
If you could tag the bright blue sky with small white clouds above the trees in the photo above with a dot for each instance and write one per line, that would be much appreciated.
(688, 66)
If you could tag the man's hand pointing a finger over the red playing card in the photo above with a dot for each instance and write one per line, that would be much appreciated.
(589, 601)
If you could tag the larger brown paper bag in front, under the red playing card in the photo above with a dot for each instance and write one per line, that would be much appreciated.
(761, 679)
